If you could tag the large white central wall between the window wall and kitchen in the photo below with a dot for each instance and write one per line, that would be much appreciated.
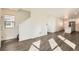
(38, 25)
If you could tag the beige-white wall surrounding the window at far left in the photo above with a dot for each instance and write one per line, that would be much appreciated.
(20, 16)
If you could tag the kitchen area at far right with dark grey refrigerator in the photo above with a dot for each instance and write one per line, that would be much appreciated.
(71, 22)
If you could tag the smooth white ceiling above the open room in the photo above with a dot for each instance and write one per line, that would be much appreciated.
(57, 12)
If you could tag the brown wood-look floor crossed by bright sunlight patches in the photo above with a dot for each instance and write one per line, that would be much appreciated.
(44, 43)
